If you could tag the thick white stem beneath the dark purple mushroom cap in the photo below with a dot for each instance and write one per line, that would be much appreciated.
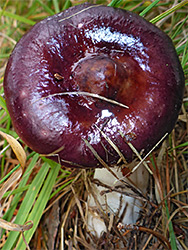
(114, 203)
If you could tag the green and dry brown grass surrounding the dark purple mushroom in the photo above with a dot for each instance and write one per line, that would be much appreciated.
(32, 194)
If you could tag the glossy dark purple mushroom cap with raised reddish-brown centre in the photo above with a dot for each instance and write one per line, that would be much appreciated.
(83, 85)
